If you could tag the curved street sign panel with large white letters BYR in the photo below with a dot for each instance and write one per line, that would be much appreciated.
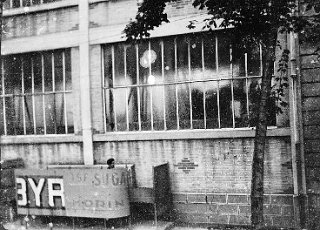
(95, 192)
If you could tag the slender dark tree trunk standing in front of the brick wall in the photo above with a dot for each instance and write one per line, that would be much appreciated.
(257, 191)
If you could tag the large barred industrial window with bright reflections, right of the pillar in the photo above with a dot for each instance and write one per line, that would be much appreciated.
(181, 82)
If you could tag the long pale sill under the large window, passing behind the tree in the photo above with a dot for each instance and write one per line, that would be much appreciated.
(188, 134)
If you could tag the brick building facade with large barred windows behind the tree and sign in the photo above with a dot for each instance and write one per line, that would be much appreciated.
(74, 92)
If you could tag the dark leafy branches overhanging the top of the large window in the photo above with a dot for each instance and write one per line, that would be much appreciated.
(252, 20)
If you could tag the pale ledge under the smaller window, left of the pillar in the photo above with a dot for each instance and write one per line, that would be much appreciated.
(41, 139)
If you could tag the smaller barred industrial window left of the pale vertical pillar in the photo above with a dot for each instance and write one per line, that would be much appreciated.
(35, 95)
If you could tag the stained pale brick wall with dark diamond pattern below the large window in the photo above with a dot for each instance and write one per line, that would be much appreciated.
(210, 179)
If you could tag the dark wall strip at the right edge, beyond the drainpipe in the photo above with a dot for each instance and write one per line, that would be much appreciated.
(310, 81)
